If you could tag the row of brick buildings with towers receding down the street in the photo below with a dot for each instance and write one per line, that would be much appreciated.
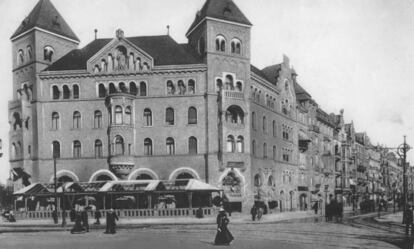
(133, 107)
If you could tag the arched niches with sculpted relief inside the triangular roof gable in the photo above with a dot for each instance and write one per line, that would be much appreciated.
(121, 60)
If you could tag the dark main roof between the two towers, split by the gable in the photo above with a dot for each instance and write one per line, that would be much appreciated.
(163, 49)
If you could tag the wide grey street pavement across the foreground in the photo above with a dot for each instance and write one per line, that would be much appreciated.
(306, 233)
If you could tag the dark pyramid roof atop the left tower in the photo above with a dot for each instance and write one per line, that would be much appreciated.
(44, 15)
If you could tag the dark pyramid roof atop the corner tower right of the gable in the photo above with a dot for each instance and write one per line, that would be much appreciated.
(221, 9)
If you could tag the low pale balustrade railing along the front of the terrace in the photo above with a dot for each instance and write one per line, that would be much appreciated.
(123, 213)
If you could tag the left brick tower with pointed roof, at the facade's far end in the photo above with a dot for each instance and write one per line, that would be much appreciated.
(40, 40)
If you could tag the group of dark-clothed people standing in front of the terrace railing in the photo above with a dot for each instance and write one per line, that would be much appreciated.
(81, 219)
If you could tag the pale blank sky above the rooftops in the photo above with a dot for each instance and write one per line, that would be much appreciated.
(351, 54)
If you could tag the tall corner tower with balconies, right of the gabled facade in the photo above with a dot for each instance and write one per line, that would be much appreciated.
(220, 34)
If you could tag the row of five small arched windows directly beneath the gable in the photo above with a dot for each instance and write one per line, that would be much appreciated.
(121, 87)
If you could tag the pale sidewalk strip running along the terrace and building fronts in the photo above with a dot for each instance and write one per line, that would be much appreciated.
(236, 218)
